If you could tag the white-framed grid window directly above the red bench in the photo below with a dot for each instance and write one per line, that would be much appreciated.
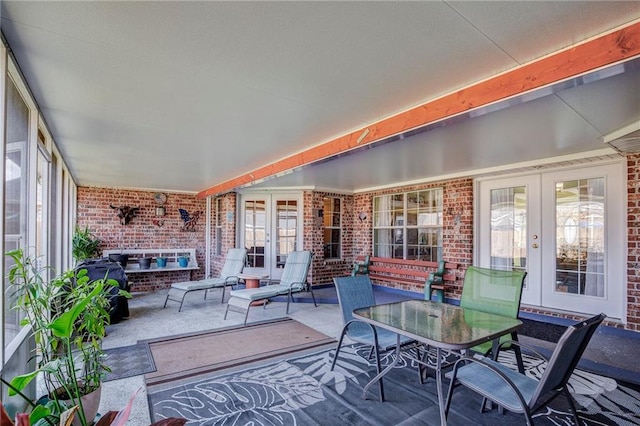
(408, 225)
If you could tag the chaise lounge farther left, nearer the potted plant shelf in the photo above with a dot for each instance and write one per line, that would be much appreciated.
(233, 264)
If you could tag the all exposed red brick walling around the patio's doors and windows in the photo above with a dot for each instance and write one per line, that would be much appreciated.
(94, 211)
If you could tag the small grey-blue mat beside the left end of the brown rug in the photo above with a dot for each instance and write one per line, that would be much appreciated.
(128, 361)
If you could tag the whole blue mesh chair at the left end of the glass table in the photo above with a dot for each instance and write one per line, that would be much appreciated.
(357, 292)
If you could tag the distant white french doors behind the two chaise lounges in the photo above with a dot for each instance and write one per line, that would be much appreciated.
(271, 228)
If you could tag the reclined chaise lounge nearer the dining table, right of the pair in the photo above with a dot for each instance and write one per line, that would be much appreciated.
(293, 280)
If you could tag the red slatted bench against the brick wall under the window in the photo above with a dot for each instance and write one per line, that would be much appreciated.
(411, 272)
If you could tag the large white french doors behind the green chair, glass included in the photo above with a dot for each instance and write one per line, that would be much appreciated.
(566, 229)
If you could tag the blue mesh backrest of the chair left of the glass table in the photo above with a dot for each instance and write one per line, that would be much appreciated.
(354, 292)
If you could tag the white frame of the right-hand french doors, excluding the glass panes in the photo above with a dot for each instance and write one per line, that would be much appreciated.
(541, 276)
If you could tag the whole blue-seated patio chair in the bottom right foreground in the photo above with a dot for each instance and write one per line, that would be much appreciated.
(518, 392)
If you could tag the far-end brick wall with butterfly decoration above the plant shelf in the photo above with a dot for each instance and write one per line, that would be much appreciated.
(145, 231)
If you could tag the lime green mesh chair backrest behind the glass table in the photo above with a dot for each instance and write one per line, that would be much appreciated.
(492, 290)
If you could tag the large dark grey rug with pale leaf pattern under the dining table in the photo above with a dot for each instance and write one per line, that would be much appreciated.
(303, 391)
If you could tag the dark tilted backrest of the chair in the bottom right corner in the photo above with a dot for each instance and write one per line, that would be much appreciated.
(565, 356)
